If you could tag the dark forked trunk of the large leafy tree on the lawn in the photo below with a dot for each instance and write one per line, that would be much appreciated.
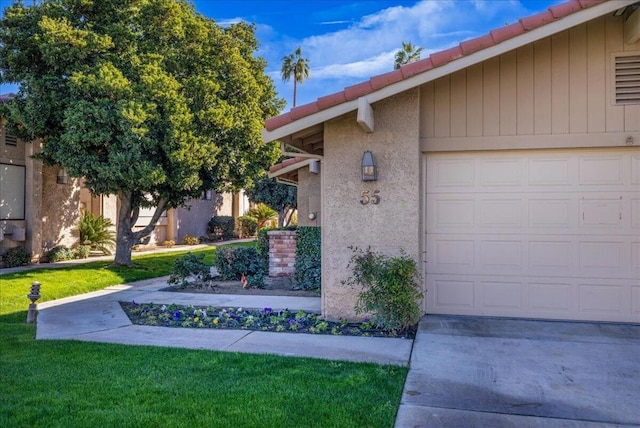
(126, 237)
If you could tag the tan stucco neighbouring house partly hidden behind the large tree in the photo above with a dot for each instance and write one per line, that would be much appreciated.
(40, 205)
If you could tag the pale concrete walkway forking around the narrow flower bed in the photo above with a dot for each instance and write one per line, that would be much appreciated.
(98, 317)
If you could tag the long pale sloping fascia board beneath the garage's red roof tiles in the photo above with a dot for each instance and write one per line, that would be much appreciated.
(526, 38)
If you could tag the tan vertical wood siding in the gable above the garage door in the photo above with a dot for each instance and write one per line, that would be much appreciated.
(557, 85)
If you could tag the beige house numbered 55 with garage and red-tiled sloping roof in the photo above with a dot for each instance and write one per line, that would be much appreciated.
(508, 166)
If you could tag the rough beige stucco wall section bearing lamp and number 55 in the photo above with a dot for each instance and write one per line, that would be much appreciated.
(388, 227)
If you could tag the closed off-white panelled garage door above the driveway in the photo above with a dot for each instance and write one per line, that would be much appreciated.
(539, 234)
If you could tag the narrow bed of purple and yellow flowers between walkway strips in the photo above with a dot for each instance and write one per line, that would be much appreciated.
(266, 319)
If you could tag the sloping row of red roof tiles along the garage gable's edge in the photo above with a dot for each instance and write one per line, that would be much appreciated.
(435, 60)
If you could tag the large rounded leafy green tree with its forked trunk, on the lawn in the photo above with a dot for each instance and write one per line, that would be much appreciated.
(145, 99)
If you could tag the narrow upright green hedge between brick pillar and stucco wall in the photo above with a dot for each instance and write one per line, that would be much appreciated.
(308, 258)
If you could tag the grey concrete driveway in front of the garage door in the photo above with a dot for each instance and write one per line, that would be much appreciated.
(472, 372)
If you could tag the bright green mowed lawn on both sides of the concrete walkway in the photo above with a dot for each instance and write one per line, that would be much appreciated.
(67, 383)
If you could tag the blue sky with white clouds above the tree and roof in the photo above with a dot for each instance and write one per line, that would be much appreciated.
(347, 42)
